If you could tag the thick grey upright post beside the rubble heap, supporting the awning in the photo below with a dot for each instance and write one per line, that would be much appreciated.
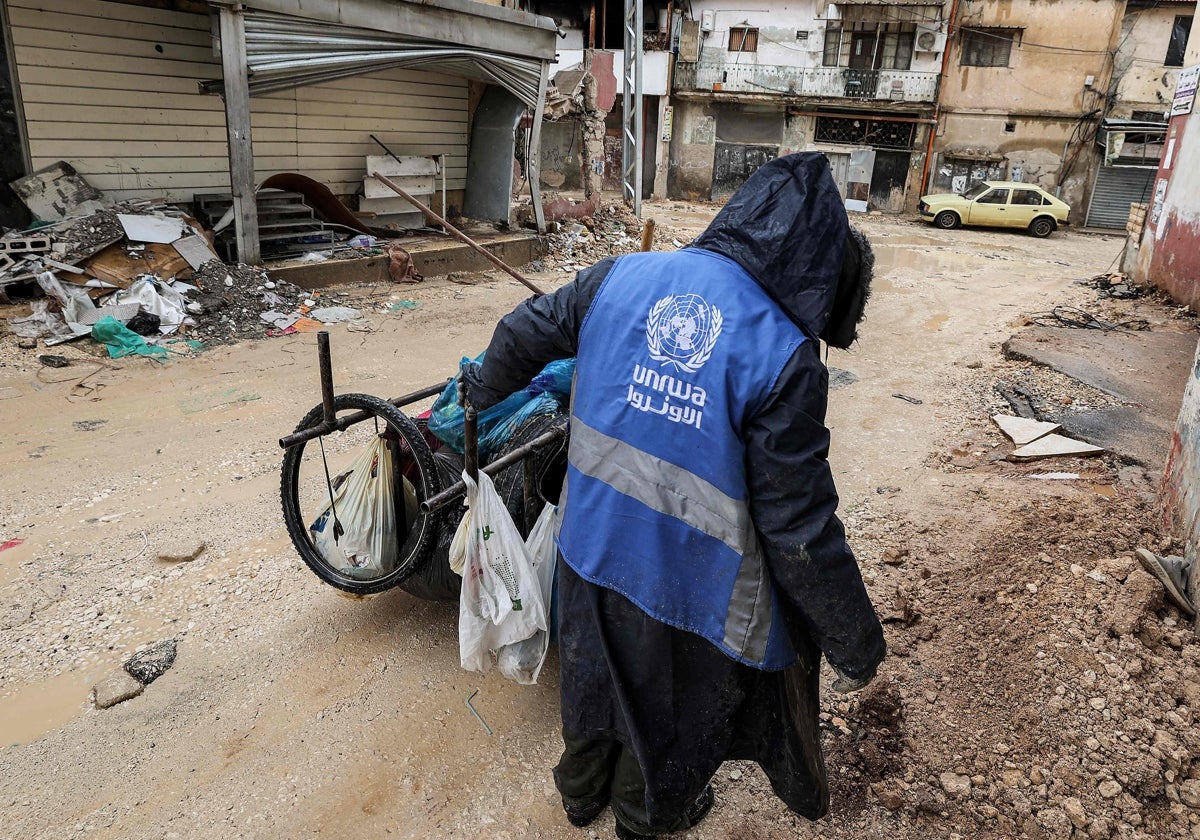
(242, 152)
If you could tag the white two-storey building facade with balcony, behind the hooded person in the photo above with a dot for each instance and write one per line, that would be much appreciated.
(855, 81)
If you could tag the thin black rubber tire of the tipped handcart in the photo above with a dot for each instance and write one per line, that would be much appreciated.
(416, 551)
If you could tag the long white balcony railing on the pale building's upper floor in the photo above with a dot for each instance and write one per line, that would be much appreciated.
(843, 83)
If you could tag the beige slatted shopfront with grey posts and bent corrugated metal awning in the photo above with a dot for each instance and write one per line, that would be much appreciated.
(182, 100)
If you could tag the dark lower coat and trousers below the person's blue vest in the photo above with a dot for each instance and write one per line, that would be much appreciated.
(651, 712)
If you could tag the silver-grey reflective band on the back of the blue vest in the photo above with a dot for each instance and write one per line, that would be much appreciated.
(685, 496)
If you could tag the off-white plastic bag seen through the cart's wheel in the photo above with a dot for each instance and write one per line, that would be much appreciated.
(365, 547)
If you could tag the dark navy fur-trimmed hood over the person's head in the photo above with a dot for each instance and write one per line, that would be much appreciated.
(788, 229)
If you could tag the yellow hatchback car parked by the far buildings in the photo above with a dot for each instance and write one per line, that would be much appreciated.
(998, 205)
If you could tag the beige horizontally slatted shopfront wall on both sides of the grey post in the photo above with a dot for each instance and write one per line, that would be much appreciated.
(113, 89)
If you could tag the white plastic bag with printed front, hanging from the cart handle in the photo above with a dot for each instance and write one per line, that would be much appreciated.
(501, 601)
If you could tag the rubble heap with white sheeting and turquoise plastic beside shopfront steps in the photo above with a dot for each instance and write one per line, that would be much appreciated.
(152, 269)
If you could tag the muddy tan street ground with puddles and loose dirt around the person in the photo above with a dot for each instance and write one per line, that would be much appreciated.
(1036, 686)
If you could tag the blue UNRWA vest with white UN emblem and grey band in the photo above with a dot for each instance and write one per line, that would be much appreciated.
(677, 353)
